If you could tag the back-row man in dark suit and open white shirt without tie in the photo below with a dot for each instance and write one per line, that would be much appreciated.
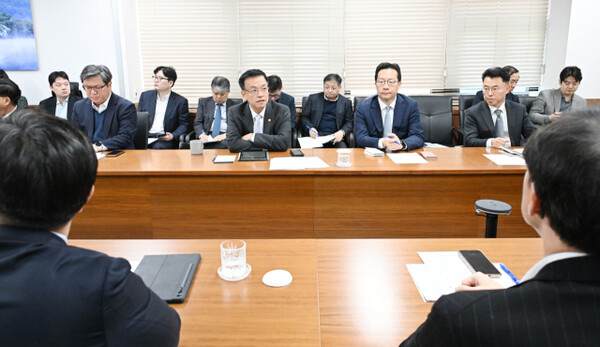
(168, 111)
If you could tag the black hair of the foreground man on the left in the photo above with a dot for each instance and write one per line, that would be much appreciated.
(47, 170)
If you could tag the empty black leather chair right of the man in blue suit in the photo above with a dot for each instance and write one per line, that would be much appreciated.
(436, 118)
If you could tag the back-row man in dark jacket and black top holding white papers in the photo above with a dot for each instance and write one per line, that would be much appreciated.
(328, 113)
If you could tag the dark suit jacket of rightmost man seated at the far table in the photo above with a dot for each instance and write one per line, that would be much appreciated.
(479, 125)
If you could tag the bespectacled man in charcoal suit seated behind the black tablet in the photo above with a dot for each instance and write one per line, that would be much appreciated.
(257, 123)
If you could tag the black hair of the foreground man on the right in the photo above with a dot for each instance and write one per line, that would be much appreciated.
(563, 159)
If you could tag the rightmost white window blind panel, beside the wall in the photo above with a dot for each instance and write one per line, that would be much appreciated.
(484, 33)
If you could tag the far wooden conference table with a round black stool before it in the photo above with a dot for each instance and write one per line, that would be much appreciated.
(170, 194)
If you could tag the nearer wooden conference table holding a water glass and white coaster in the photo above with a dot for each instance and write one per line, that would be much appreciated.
(345, 292)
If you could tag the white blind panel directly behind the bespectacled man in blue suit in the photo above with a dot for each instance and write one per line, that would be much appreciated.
(410, 33)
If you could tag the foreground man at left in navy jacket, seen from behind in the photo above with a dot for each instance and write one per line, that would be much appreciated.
(54, 294)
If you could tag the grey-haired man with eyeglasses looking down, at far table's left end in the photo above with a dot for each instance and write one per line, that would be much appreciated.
(109, 120)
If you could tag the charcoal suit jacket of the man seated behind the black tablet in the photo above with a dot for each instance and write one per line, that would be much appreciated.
(276, 131)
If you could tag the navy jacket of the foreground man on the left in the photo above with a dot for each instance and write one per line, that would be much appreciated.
(57, 295)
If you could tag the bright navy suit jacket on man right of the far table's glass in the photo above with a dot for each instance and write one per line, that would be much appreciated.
(368, 124)
